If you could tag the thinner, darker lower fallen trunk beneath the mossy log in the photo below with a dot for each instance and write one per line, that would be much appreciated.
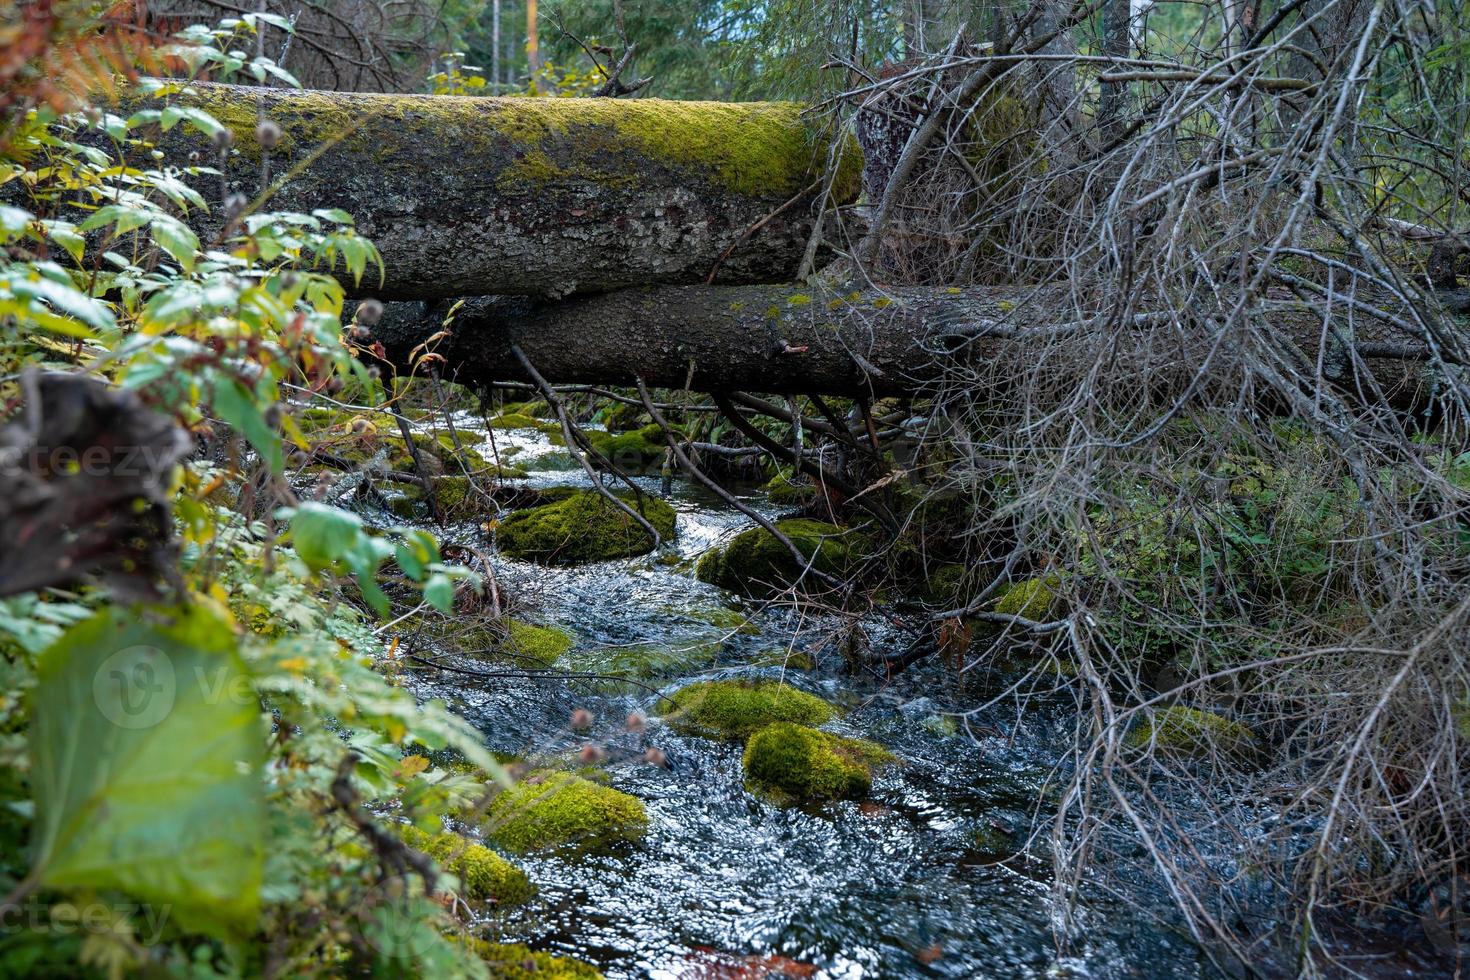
(790, 340)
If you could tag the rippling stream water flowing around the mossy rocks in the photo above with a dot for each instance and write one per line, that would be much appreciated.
(727, 885)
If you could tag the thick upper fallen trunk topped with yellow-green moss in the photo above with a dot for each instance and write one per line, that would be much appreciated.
(528, 196)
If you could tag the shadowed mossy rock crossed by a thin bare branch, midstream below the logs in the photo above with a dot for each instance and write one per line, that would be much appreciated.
(756, 563)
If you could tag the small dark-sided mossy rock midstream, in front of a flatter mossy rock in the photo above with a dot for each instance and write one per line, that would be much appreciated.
(795, 763)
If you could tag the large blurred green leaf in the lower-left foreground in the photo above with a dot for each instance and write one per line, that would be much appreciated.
(148, 753)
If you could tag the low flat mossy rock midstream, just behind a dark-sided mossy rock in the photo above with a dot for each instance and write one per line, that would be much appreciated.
(733, 710)
